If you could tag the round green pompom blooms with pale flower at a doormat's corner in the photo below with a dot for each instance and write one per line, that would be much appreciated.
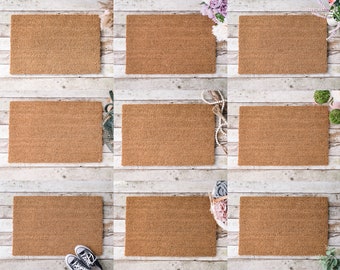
(332, 100)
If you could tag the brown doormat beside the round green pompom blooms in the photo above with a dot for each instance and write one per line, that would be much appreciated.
(283, 136)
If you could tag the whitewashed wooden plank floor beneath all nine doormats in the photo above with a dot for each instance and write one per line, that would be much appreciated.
(96, 179)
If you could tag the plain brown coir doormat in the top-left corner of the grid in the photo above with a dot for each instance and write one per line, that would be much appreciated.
(55, 44)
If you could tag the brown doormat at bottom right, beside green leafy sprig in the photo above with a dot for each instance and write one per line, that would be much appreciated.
(283, 226)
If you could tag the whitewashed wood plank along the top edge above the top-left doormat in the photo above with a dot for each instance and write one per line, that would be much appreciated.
(60, 5)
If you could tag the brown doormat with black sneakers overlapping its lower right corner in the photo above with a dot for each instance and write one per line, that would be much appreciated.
(52, 226)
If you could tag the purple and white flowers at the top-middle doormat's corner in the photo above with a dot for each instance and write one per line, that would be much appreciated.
(216, 10)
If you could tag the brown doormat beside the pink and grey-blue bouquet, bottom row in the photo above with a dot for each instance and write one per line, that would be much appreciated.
(169, 226)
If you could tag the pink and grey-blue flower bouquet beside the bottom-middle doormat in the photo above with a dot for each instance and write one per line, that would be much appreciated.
(219, 203)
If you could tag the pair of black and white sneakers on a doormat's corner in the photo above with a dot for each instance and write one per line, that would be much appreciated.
(84, 259)
